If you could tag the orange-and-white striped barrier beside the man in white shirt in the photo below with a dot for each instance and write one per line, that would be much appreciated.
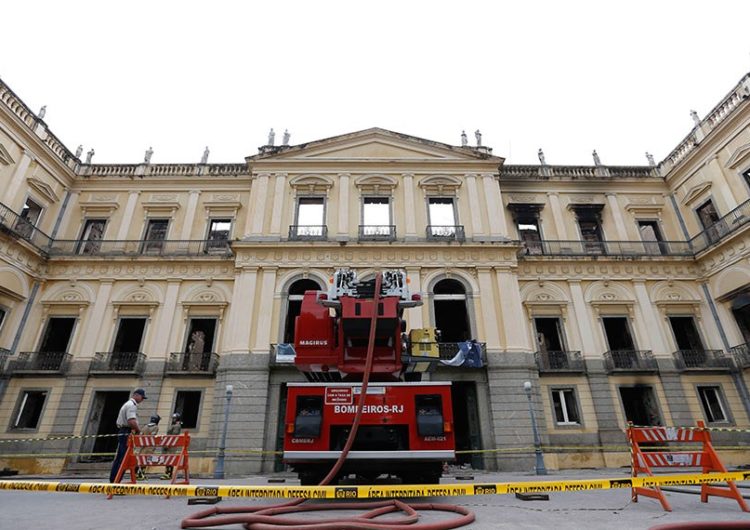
(169, 444)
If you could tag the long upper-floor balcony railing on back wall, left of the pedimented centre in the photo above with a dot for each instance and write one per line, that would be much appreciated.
(140, 247)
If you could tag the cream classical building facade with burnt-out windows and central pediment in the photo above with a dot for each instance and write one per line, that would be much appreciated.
(621, 293)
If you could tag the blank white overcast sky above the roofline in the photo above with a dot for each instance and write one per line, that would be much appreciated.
(570, 77)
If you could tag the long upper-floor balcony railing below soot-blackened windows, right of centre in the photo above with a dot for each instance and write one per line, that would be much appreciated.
(610, 248)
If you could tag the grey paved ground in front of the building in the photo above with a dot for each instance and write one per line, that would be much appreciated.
(598, 509)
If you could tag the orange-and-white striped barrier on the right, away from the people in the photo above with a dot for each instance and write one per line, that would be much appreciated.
(643, 460)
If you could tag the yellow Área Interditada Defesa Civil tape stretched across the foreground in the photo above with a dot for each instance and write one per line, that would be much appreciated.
(373, 492)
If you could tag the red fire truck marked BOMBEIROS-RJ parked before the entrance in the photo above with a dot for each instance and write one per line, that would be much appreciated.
(406, 426)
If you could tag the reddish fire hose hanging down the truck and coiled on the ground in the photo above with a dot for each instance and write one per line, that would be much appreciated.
(278, 516)
